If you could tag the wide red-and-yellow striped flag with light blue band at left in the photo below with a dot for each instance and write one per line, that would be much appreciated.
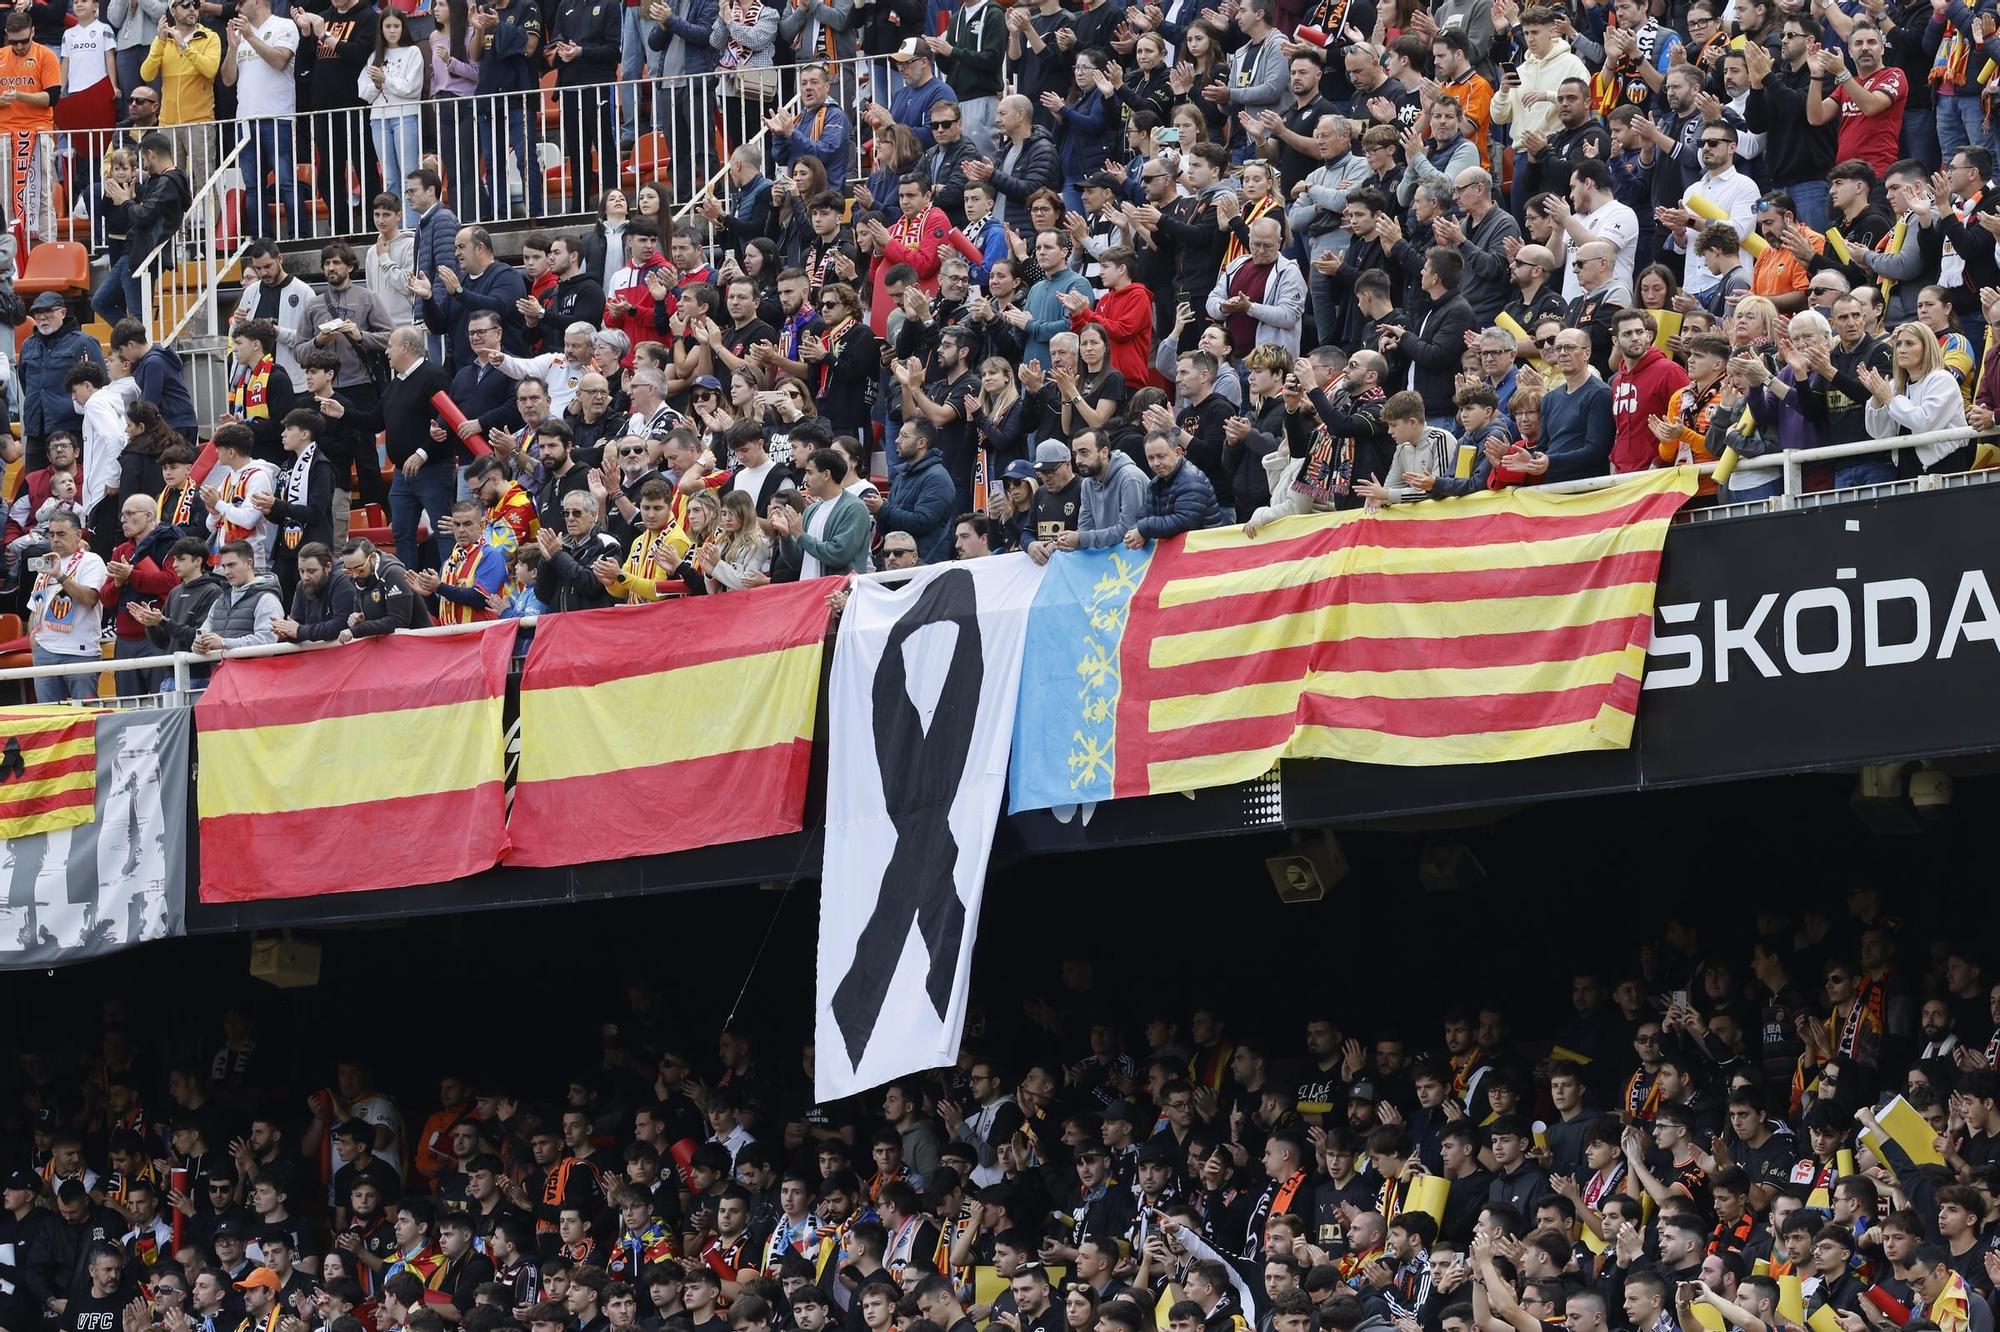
(1469, 631)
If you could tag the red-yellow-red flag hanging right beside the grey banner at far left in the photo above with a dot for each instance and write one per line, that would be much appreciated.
(367, 767)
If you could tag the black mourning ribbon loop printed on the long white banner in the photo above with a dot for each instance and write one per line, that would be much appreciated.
(921, 777)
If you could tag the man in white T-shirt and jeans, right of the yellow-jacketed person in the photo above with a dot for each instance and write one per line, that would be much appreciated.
(257, 63)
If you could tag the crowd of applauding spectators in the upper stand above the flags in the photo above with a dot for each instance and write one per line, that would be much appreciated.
(1057, 279)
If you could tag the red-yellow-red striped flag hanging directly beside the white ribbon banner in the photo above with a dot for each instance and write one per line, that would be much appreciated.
(667, 727)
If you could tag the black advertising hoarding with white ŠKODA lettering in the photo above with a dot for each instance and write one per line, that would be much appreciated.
(1825, 639)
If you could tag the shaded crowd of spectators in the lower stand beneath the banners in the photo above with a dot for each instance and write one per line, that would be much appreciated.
(1721, 1137)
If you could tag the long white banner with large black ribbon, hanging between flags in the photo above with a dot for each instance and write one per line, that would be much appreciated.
(923, 719)
